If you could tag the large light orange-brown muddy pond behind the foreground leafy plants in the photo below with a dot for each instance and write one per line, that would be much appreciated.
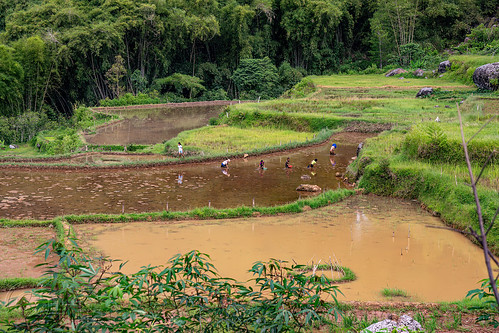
(386, 242)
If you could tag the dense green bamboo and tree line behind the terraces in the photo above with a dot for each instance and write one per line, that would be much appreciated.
(58, 53)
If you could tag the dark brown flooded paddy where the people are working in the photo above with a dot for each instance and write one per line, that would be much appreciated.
(43, 194)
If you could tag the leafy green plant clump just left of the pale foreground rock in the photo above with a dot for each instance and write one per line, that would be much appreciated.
(287, 301)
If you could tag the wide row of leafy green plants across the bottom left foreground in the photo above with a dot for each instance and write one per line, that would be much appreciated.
(79, 293)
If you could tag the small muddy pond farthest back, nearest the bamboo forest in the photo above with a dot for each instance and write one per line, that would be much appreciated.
(150, 126)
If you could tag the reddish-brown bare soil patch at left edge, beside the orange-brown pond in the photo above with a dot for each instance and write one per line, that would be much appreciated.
(17, 247)
